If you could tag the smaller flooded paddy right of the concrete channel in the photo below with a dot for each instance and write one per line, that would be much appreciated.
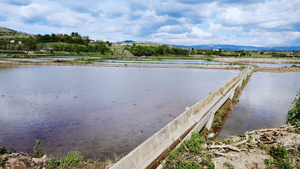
(264, 103)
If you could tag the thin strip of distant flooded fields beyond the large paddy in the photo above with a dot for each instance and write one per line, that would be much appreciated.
(144, 61)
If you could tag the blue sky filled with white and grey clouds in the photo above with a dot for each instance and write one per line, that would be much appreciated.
(186, 22)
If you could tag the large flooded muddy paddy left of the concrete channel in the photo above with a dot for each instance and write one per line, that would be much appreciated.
(98, 110)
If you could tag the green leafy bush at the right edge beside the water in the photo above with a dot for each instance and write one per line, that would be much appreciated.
(293, 115)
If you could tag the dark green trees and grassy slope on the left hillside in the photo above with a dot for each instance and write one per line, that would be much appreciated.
(68, 43)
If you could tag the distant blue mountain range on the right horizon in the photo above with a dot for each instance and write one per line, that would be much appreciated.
(239, 48)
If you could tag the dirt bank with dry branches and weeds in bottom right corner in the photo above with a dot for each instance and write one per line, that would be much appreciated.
(266, 148)
